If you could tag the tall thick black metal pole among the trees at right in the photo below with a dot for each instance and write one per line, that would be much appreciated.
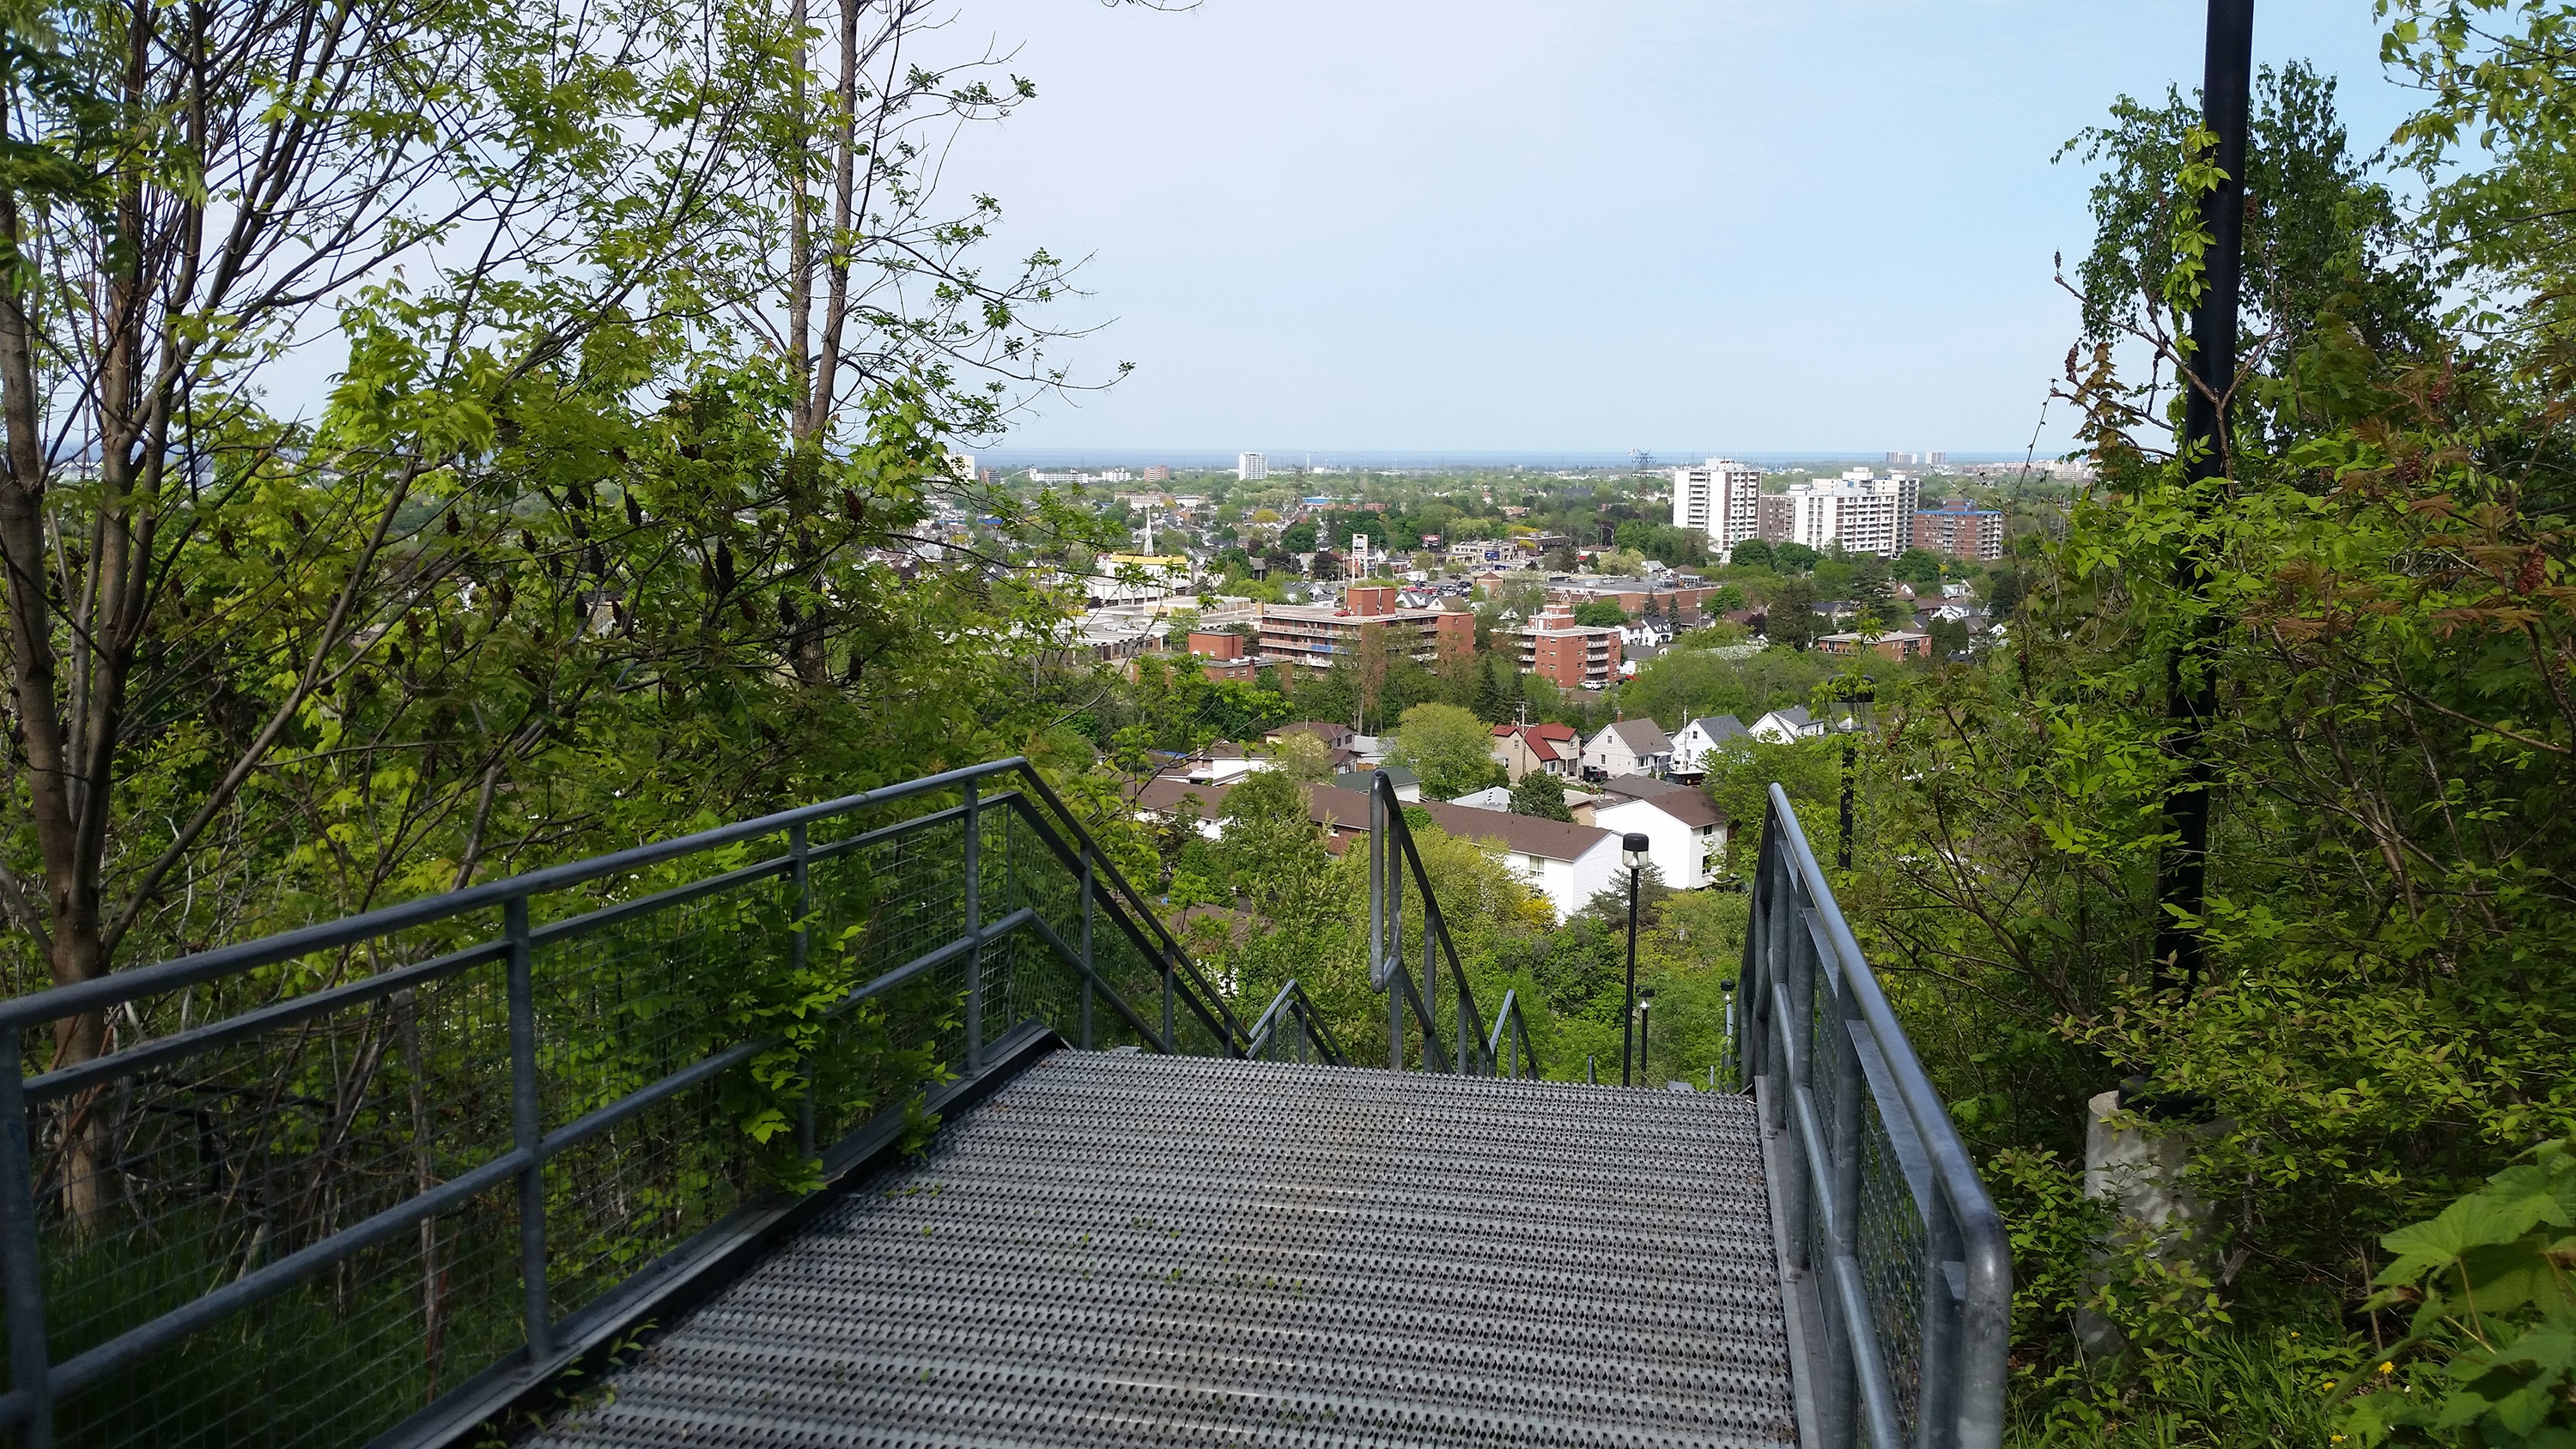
(2191, 688)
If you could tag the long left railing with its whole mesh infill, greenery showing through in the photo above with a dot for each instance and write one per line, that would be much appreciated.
(450, 1147)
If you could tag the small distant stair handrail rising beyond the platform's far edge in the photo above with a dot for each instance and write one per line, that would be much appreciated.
(1475, 1054)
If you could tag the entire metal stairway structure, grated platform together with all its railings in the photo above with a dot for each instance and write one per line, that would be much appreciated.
(903, 1121)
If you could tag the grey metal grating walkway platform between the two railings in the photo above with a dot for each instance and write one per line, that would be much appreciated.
(1127, 1250)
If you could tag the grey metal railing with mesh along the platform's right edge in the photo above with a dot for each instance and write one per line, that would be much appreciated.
(1871, 1185)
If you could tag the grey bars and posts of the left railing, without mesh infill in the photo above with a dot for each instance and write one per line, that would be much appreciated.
(37, 1381)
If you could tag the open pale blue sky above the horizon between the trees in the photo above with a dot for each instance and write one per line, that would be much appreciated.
(1501, 225)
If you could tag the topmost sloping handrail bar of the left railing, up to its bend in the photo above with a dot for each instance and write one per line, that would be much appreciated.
(349, 930)
